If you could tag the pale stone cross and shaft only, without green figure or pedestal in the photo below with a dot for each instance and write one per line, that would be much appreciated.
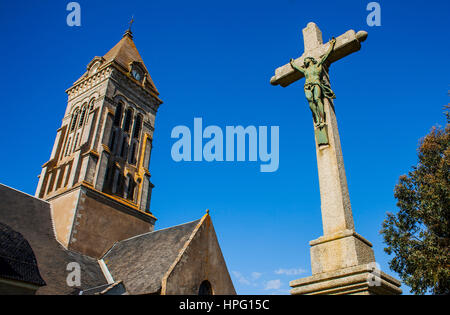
(335, 201)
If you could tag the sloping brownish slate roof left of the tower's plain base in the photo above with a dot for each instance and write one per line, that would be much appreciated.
(31, 217)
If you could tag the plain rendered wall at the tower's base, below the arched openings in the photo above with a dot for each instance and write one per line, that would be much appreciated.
(89, 222)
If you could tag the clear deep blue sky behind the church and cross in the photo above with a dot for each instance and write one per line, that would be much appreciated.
(214, 59)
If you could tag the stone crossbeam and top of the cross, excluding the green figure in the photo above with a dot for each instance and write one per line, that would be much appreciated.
(346, 44)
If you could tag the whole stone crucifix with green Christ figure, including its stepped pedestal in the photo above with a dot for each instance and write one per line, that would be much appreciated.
(341, 255)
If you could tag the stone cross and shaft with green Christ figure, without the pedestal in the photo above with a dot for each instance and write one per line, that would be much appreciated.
(313, 65)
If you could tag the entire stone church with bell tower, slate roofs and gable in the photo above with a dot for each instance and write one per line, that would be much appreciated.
(91, 211)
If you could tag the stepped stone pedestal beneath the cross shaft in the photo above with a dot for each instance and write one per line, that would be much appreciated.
(344, 264)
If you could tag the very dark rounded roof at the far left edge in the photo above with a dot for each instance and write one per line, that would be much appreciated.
(17, 260)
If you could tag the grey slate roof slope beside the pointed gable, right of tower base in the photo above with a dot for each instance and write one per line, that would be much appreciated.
(142, 261)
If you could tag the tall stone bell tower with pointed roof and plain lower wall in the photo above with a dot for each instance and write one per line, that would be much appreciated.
(97, 179)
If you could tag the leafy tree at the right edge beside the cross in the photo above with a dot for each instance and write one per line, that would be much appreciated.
(418, 234)
